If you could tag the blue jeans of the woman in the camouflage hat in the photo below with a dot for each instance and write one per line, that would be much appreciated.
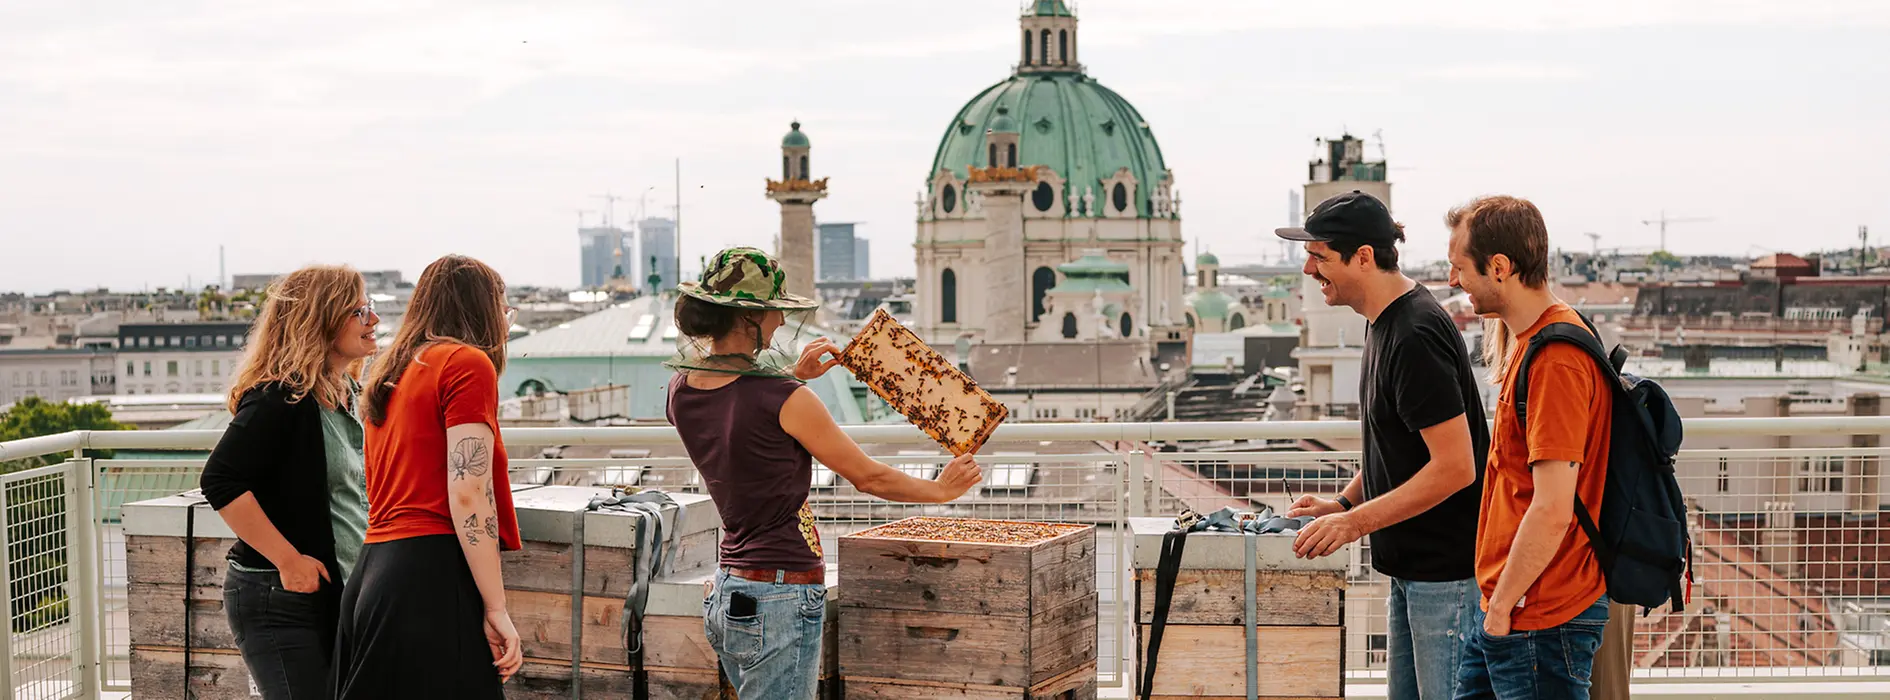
(774, 654)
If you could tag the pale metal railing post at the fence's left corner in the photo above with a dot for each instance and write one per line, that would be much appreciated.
(82, 576)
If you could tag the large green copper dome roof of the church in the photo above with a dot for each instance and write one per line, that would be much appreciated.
(1069, 124)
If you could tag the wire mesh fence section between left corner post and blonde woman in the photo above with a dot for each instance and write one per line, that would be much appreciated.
(118, 483)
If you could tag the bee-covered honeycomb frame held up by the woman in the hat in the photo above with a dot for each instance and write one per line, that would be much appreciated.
(921, 385)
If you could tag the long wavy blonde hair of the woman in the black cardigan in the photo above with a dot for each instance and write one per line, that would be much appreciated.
(292, 338)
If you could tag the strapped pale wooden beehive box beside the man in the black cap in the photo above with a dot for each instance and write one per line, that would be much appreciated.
(1299, 618)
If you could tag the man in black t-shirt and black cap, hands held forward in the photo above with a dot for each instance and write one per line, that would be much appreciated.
(1426, 444)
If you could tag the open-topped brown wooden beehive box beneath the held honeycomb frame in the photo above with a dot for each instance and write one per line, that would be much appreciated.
(965, 608)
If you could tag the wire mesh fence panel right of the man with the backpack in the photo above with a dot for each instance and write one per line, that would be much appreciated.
(1789, 565)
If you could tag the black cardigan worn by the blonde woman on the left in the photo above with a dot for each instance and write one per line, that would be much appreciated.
(273, 449)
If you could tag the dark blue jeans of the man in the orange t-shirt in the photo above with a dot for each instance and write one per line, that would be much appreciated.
(1536, 665)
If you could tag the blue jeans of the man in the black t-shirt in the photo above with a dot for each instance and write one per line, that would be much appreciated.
(1443, 616)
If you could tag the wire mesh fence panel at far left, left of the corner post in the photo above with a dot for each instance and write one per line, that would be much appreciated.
(43, 631)
